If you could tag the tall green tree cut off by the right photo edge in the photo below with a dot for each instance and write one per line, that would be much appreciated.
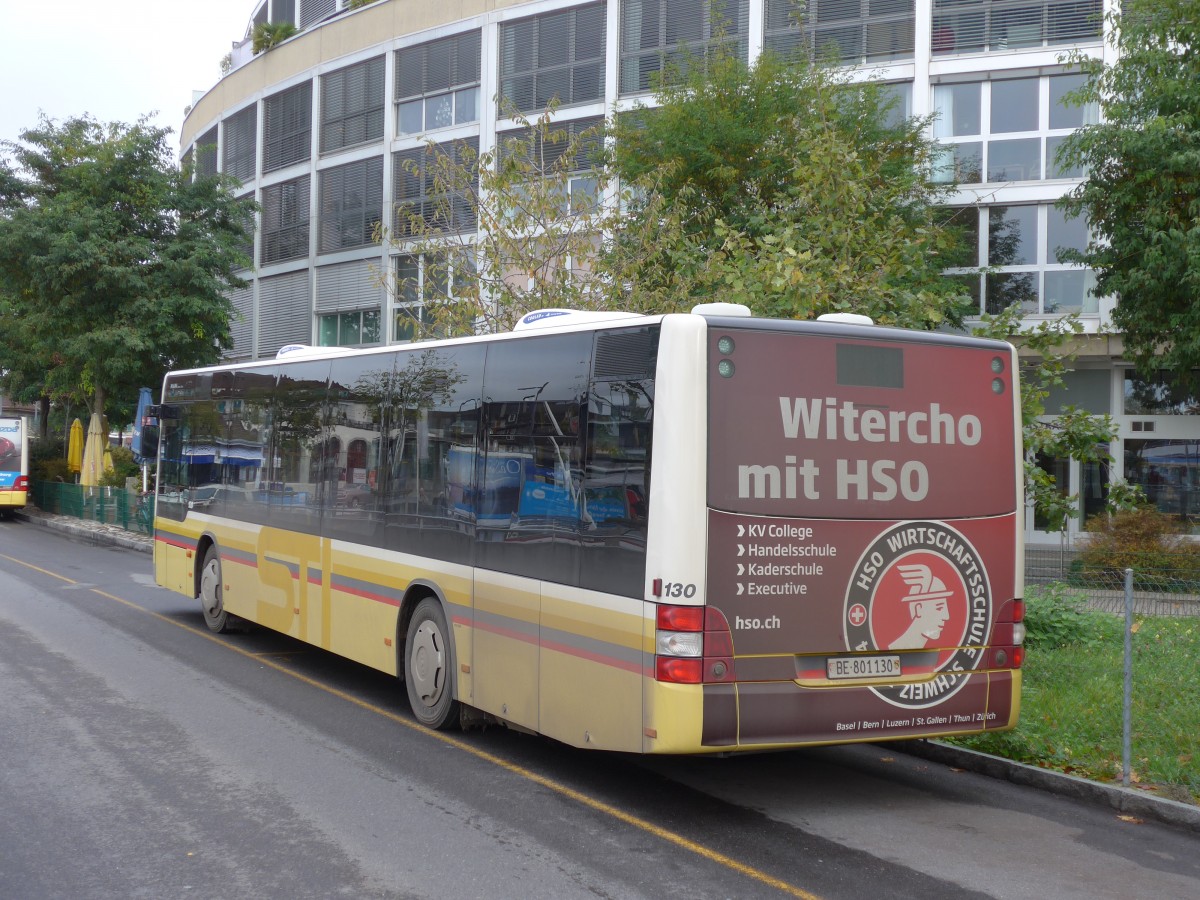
(1142, 193)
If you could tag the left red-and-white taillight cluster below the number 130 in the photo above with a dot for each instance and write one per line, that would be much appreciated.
(693, 645)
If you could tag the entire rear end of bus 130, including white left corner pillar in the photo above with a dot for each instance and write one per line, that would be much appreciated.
(861, 573)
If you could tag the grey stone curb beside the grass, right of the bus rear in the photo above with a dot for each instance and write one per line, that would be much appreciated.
(1124, 800)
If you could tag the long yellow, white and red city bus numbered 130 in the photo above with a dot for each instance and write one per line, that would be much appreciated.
(662, 535)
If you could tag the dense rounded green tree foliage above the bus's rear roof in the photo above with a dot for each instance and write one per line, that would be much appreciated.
(801, 194)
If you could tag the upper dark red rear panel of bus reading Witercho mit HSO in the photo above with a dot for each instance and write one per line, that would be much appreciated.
(835, 428)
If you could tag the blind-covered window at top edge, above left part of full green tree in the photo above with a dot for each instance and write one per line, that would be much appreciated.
(658, 35)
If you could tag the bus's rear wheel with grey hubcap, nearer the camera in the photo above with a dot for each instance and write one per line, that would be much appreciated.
(429, 667)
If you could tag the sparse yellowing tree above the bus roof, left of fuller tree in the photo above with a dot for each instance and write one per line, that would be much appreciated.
(515, 230)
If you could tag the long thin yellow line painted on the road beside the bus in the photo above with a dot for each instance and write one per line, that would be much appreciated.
(520, 771)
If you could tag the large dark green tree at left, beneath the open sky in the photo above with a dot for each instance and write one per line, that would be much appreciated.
(115, 265)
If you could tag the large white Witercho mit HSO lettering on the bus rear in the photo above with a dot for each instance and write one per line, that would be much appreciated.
(817, 419)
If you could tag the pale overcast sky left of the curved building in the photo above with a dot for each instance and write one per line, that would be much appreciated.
(117, 61)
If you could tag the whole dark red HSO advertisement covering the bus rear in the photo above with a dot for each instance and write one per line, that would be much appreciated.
(863, 502)
